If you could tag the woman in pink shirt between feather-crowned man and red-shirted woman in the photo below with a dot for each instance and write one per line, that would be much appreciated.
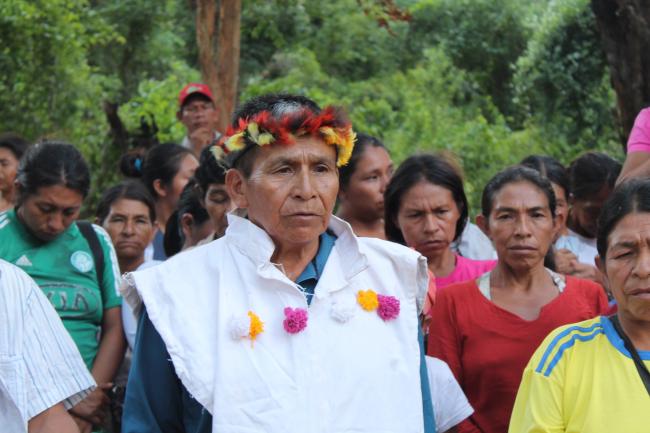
(426, 209)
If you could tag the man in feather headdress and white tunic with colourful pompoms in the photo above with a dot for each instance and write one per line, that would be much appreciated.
(288, 323)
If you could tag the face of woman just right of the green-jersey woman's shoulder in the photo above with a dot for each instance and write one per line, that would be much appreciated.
(130, 227)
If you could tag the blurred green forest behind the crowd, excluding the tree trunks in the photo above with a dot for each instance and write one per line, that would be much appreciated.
(489, 80)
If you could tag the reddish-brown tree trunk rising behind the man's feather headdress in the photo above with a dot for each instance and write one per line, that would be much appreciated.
(218, 37)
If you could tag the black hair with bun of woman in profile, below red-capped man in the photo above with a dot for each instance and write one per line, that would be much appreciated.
(161, 161)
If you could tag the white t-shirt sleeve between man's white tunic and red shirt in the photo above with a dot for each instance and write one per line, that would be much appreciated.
(450, 406)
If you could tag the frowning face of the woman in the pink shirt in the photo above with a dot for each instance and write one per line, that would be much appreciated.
(427, 218)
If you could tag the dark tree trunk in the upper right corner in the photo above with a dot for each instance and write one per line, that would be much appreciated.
(624, 26)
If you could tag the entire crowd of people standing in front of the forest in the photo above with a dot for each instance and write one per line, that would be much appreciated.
(285, 276)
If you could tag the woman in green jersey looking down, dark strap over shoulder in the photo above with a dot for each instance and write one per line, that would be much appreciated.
(72, 262)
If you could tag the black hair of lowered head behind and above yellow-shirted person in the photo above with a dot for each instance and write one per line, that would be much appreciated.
(591, 172)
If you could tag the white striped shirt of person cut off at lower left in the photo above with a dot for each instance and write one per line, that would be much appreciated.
(40, 365)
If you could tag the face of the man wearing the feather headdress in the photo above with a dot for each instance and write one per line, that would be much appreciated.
(291, 191)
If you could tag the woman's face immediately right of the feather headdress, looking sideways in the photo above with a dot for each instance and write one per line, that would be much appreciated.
(364, 194)
